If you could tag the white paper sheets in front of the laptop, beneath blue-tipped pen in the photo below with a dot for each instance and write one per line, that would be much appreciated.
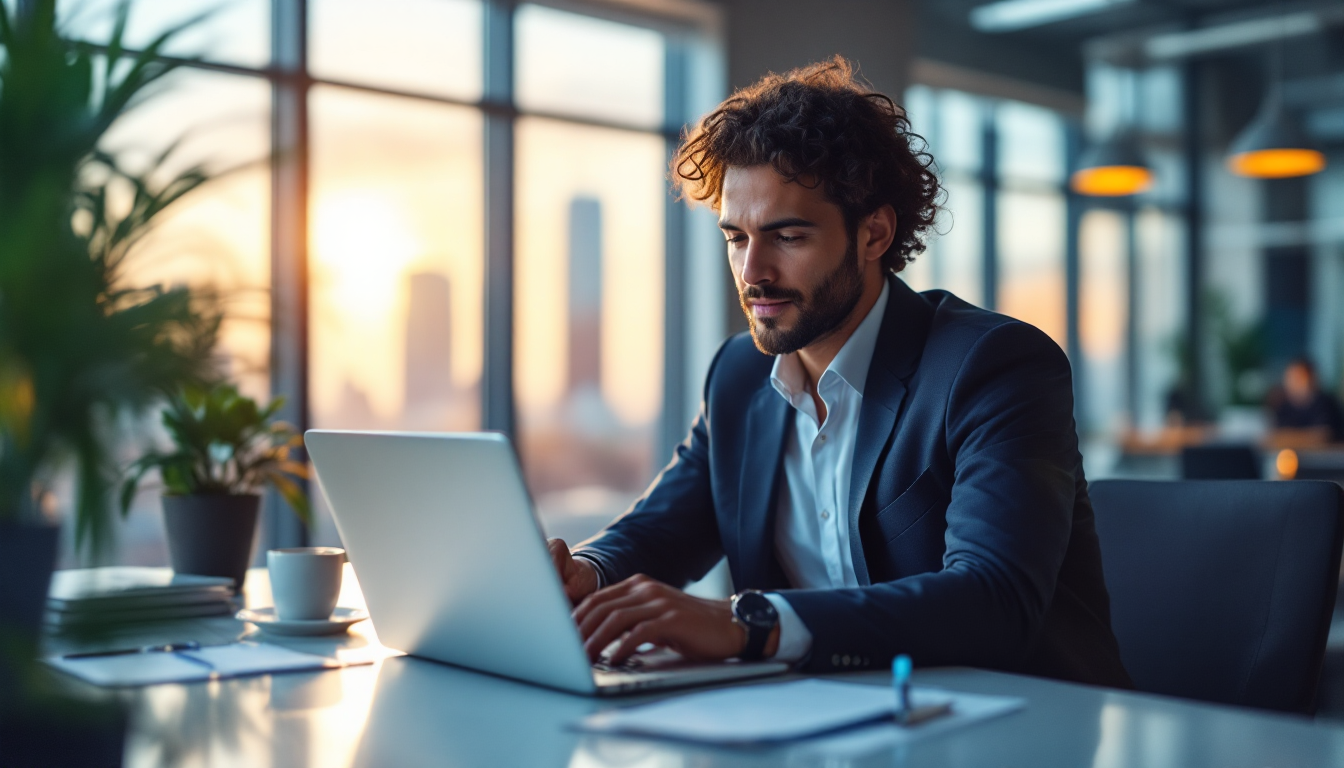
(783, 712)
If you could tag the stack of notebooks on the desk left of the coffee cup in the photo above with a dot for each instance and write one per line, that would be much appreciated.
(97, 597)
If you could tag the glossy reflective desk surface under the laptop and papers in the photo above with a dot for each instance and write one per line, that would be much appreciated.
(405, 712)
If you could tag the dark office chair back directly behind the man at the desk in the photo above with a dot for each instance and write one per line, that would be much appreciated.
(1222, 590)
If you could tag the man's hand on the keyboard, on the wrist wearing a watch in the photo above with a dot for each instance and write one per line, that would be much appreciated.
(642, 610)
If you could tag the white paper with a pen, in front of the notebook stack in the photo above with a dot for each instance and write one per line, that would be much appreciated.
(210, 662)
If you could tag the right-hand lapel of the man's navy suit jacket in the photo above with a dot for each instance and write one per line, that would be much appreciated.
(896, 356)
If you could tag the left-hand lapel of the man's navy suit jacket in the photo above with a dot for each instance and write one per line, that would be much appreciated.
(768, 422)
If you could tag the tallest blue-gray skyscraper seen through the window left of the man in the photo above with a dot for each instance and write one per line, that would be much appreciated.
(585, 358)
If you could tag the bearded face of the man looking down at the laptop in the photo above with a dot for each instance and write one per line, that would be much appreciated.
(796, 267)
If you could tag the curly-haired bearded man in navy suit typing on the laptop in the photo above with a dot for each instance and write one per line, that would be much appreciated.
(897, 473)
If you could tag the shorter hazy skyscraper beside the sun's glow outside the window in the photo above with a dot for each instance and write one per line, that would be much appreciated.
(429, 372)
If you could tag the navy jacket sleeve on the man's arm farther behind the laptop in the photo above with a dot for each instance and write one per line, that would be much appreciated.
(671, 533)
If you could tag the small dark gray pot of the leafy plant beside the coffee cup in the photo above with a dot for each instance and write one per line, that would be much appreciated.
(212, 536)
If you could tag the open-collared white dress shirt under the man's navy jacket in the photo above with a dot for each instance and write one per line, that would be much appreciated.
(812, 519)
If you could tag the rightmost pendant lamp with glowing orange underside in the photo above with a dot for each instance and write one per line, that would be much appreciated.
(1273, 146)
